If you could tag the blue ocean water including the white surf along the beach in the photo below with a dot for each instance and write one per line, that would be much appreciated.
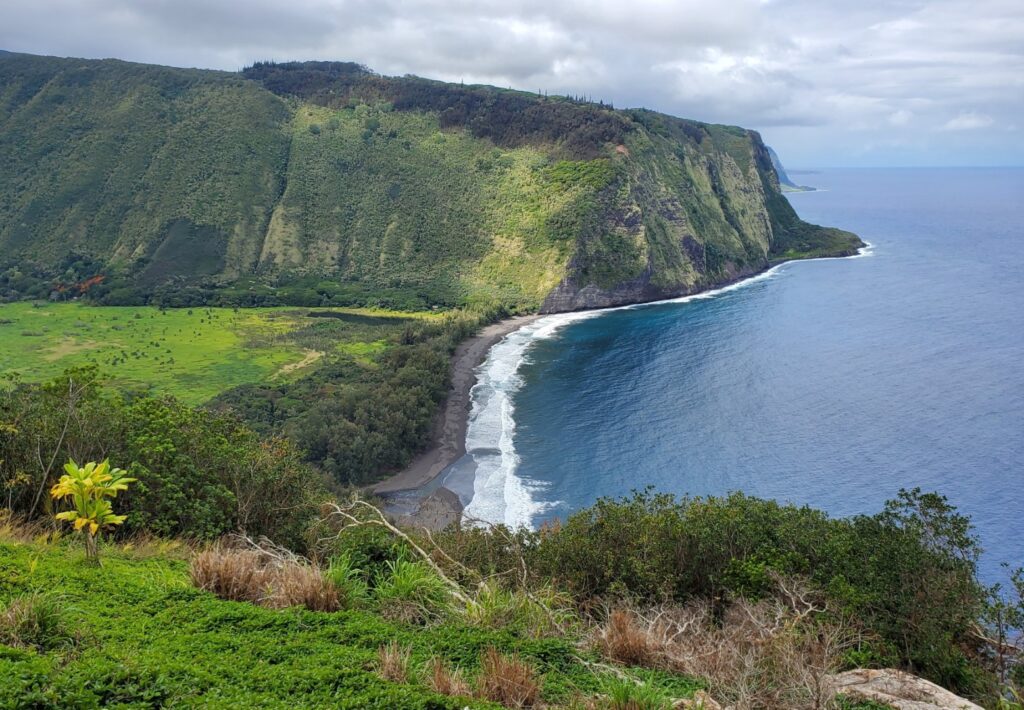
(832, 384)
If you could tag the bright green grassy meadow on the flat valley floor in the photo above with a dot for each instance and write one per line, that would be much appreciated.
(194, 354)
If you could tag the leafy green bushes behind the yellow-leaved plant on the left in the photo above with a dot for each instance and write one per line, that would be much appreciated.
(199, 475)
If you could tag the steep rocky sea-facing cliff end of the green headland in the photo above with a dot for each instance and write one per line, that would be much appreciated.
(696, 206)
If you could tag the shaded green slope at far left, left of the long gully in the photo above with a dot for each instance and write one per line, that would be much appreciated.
(127, 162)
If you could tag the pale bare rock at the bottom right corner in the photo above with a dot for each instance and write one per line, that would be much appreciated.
(898, 690)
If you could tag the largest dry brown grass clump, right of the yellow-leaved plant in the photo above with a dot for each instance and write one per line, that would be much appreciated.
(264, 577)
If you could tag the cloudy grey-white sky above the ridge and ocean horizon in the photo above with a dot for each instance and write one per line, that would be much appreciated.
(827, 82)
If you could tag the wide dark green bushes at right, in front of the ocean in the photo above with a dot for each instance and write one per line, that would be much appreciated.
(908, 575)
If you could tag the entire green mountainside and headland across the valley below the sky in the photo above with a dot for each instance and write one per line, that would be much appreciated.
(326, 184)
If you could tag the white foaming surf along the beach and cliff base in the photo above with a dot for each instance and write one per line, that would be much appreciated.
(500, 495)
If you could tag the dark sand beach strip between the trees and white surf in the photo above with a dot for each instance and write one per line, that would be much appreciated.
(449, 440)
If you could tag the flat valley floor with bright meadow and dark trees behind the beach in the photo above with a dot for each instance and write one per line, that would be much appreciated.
(355, 390)
